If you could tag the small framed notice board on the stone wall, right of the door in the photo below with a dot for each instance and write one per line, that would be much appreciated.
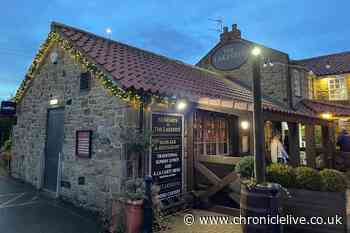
(83, 143)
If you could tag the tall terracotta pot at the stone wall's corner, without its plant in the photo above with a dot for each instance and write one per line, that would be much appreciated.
(133, 216)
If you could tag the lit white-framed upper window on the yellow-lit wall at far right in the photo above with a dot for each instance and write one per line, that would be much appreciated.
(337, 88)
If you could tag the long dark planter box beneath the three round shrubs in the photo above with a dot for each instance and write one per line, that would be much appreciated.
(305, 203)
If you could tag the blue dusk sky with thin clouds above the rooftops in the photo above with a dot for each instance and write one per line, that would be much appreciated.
(178, 29)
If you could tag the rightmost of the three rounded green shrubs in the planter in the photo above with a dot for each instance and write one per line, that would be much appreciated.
(333, 180)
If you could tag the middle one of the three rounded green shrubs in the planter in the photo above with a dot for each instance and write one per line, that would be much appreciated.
(308, 178)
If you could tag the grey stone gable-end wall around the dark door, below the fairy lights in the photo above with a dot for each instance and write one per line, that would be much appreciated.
(84, 110)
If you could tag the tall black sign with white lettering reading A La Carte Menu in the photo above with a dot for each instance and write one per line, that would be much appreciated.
(166, 159)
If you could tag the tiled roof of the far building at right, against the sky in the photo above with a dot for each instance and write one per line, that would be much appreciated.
(327, 65)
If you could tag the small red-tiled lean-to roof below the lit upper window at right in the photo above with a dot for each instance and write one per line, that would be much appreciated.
(318, 107)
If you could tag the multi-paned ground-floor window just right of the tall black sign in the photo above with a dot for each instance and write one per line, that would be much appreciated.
(211, 134)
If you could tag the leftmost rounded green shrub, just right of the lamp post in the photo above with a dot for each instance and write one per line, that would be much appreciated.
(281, 174)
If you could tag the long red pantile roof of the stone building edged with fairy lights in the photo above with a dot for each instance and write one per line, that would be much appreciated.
(135, 68)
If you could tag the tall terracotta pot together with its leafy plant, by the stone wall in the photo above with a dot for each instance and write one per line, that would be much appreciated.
(131, 199)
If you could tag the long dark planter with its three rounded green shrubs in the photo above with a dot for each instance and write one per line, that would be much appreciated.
(312, 194)
